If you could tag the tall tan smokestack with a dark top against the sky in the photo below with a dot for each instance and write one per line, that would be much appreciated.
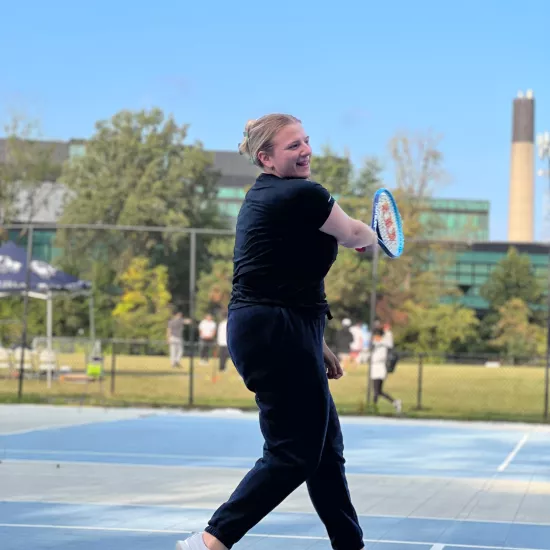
(522, 170)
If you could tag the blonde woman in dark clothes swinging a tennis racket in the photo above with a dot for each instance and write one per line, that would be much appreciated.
(287, 236)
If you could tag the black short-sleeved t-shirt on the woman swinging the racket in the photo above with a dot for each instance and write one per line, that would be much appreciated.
(280, 256)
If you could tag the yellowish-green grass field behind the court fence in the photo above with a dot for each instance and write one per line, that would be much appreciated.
(448, 391)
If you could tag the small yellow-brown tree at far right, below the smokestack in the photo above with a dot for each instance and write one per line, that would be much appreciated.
(514, 335)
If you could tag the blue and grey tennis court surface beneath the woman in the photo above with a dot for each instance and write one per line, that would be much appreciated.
(137, 479)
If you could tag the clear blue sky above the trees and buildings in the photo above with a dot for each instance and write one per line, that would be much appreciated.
(354, 72)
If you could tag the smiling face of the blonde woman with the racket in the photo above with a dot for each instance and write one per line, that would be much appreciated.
(290, 155)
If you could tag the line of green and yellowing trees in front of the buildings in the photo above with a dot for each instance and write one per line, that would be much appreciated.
(138, 169)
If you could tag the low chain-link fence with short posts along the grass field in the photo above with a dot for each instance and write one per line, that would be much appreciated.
(139, 372)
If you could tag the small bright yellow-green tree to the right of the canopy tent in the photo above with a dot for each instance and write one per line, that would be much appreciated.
(144, 308)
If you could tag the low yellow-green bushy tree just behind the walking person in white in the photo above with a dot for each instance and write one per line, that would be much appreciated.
(438, 329)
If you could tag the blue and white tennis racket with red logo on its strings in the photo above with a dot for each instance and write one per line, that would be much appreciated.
(386, 222)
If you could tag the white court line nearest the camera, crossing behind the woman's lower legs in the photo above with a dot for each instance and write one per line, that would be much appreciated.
(434, 545)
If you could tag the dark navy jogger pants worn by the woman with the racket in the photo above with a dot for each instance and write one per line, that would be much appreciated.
(279, 354)
